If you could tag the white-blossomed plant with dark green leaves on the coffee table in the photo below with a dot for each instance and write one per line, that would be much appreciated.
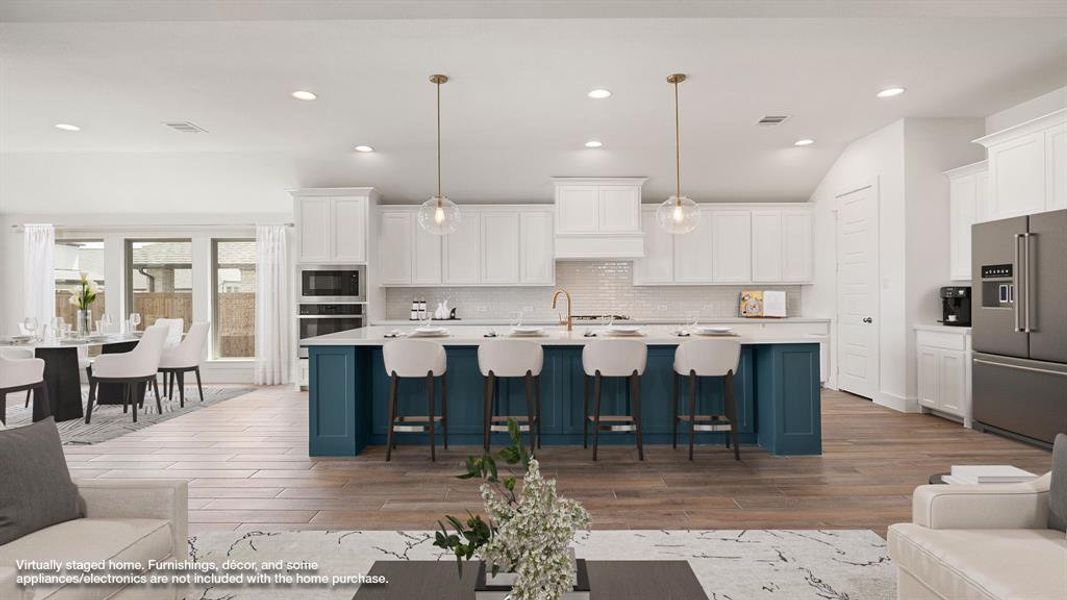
(527, 543)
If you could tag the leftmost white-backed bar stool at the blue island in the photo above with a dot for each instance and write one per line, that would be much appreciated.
(417, 358)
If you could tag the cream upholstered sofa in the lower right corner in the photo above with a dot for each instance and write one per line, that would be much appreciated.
(980, 543)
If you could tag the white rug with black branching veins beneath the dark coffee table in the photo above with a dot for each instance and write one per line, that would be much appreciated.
(730, 565)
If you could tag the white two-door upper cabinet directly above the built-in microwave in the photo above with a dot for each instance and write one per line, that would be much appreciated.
(332, 225)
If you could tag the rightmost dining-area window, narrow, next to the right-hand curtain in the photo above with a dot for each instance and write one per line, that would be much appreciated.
(234, 281)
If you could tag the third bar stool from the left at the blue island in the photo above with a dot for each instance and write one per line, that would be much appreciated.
(614, 358)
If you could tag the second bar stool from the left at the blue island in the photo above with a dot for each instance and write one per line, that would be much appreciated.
(513, 358)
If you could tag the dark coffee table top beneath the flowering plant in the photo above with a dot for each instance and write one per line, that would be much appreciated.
(609, 580)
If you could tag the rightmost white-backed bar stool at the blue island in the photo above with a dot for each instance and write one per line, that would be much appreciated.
(708, 358)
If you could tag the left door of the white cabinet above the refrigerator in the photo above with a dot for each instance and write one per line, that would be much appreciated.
(1017, 177)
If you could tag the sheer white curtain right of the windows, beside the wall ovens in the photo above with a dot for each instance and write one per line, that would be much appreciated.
(274, 344)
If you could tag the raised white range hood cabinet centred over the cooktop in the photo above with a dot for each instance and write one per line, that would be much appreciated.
(599, 218)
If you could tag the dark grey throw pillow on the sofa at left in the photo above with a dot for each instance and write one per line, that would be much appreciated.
(37, 491)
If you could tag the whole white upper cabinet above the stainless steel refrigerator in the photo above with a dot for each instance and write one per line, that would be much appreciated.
(1028, 168)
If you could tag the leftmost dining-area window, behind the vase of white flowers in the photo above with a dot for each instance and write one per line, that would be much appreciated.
(74, 258)
